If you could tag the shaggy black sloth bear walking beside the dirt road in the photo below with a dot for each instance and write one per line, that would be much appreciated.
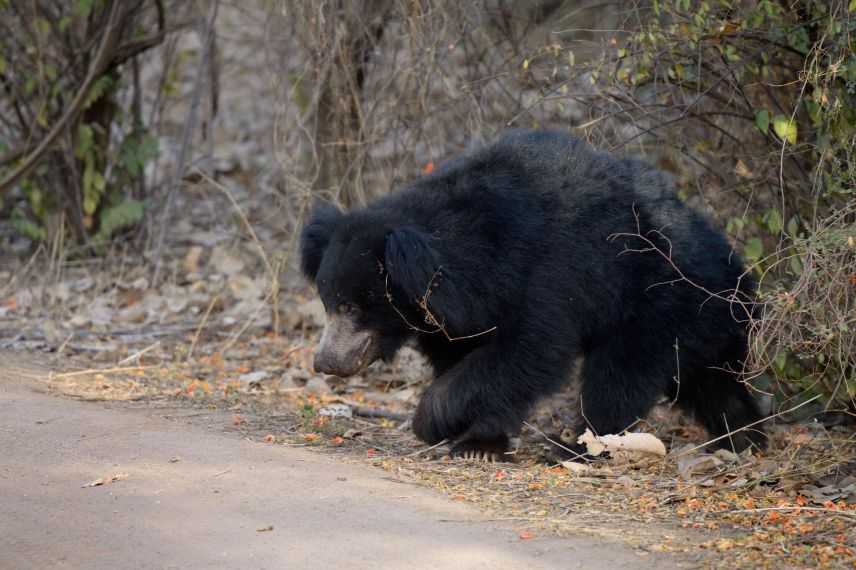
(507, 264)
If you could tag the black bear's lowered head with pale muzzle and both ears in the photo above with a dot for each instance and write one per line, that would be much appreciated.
(370, 274)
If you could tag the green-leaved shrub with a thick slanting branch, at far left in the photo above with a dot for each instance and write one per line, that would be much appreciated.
(69, 149)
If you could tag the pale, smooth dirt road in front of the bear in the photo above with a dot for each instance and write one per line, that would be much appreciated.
(189, 497)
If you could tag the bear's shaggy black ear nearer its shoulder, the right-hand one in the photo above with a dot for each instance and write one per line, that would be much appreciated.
(410, 261)
